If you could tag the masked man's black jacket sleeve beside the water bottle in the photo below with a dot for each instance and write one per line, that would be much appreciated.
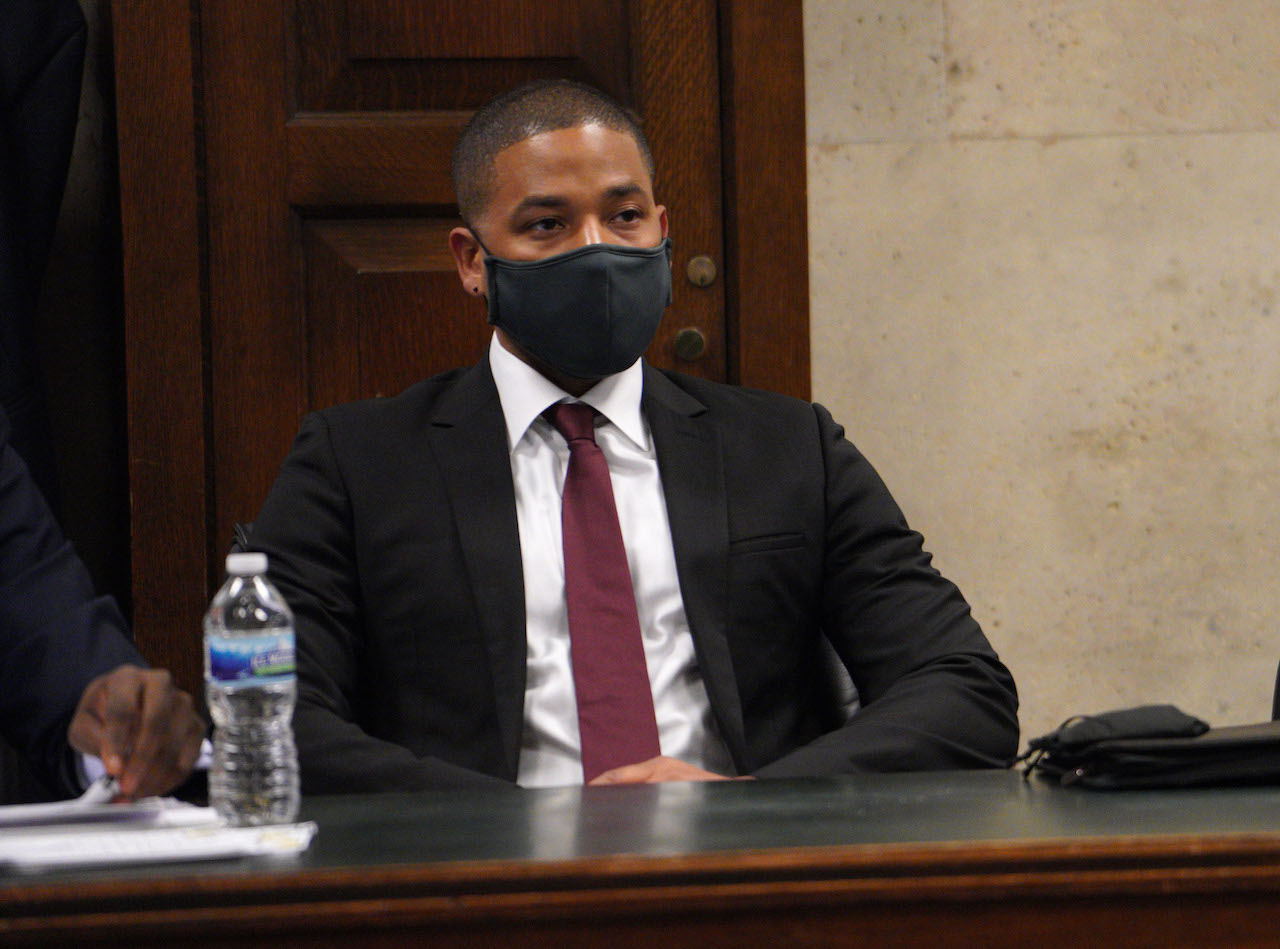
(307, 528)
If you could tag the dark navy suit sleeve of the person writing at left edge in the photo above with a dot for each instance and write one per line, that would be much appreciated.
(56, 635)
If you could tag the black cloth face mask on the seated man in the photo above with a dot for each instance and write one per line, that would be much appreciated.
(588, 313)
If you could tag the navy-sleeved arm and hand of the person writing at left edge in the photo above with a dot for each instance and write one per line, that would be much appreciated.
(70, 677)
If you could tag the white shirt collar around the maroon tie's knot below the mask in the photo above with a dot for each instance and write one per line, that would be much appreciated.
(525, 394)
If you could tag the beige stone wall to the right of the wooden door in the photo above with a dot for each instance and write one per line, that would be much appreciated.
(1045, 263)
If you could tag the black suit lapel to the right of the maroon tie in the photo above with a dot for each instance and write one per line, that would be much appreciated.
(688, 445)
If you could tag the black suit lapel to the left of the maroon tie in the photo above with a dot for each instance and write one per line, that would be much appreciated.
(469, 439)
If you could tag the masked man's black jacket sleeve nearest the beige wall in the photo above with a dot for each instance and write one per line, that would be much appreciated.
(934, 693)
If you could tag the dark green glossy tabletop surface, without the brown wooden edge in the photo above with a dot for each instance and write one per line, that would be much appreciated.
(930, 811)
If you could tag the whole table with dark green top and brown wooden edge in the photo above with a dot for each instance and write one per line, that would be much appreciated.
(938, 860)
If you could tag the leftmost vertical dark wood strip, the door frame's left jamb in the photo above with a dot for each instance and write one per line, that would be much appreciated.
(163, 248)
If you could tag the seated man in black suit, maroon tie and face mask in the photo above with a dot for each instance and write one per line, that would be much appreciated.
(422, 545)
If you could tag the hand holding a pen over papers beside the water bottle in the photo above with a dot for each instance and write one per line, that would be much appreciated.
(141, 726)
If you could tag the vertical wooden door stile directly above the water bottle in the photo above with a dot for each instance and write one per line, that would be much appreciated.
(257, 326)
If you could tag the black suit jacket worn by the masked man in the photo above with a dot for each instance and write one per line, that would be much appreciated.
(392, 532)
